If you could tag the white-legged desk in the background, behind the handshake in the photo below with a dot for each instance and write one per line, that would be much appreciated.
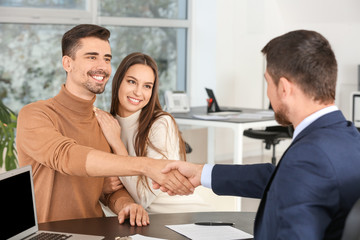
(237, 124)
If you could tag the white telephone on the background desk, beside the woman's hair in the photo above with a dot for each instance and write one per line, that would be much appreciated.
(176, 101)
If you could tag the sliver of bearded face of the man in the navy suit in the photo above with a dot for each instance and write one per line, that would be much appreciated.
(280, 109)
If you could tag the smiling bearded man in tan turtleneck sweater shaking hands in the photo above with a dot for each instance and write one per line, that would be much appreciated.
(62, 141)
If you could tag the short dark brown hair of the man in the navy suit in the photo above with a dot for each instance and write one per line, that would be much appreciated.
(305, 58)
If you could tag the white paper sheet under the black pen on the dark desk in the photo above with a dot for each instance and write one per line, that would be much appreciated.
(200, 232)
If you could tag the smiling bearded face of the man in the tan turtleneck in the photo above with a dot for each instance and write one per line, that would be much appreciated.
(91, 68)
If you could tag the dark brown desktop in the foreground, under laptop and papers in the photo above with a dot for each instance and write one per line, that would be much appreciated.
(110, 227)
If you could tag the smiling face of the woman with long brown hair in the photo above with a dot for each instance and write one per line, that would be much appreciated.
(135, 89)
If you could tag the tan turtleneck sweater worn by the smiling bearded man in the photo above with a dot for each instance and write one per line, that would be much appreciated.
(54, 137)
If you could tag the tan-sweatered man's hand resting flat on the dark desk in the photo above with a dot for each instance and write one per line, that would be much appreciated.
(136, 214)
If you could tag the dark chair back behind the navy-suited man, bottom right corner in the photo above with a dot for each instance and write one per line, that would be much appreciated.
(352, 229)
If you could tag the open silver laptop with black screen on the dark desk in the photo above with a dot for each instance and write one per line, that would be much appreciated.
(18, 211)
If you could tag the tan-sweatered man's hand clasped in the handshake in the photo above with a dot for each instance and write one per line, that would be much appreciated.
(172, 180)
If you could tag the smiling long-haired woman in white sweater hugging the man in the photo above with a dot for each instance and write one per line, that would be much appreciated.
(145, 130)
